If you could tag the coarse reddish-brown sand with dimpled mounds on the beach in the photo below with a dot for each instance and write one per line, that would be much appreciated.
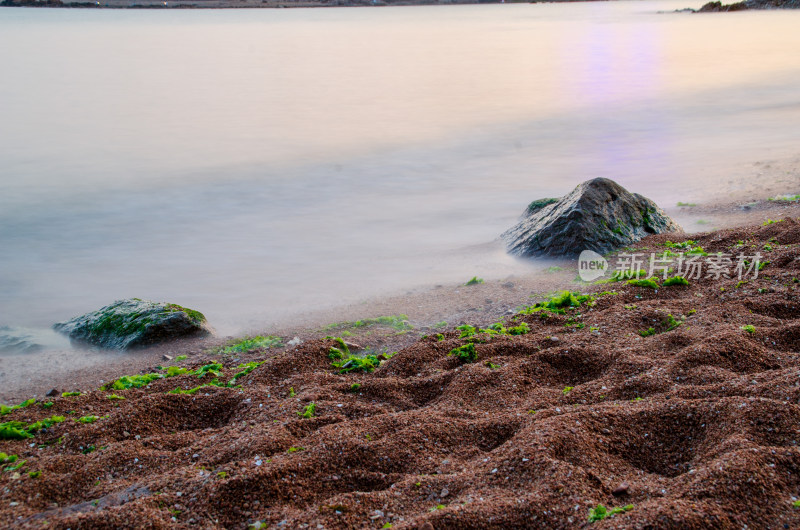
(702, 424)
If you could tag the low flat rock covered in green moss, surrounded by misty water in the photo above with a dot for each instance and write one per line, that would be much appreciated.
(135, 323)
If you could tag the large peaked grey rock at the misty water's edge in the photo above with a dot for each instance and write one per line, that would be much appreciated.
(598, 215)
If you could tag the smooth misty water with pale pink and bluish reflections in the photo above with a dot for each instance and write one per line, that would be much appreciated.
(256, 163)
